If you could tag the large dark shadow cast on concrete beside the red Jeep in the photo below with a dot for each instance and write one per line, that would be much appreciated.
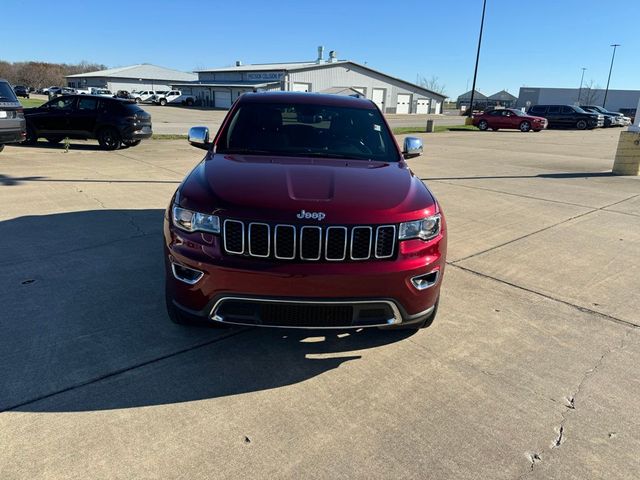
(85, 327)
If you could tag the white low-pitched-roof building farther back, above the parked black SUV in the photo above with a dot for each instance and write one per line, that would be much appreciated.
(134, 77)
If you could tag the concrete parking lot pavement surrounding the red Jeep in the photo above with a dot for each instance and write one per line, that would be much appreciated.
(529, 371)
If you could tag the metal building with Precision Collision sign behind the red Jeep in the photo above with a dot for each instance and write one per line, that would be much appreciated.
(219, 87)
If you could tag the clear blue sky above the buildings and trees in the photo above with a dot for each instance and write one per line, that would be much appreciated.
(536, 43)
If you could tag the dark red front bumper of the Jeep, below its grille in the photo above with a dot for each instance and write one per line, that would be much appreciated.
(381, 285)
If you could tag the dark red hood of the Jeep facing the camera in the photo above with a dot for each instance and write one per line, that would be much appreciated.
(277, 189)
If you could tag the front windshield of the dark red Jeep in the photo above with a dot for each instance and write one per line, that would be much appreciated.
(308, 131)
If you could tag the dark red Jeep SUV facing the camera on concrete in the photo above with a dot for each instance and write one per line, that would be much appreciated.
(304, 213)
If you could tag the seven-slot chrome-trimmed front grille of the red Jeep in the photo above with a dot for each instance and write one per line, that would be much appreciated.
(310, 243)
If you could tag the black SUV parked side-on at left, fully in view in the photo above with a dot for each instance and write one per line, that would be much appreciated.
(113, 122)
